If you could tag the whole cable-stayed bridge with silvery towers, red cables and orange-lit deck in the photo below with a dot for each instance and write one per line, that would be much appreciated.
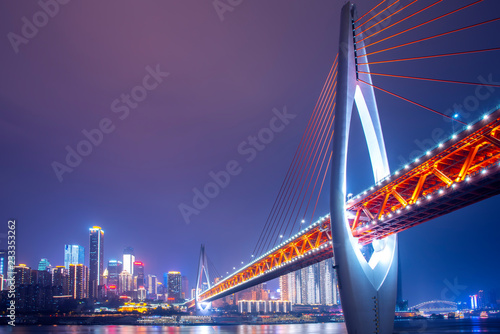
(461, 170)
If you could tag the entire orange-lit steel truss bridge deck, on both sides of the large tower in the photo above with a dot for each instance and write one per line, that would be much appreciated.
(461, 171)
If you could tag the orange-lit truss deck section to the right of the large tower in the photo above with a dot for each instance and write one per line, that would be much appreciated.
(465, 164)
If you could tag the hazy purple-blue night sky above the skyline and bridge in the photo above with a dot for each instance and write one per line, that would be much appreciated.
(226, 74)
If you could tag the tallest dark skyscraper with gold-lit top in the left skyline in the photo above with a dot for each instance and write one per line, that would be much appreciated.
(96, 259)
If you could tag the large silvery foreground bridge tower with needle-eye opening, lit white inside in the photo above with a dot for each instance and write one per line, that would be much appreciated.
(367, 288)
